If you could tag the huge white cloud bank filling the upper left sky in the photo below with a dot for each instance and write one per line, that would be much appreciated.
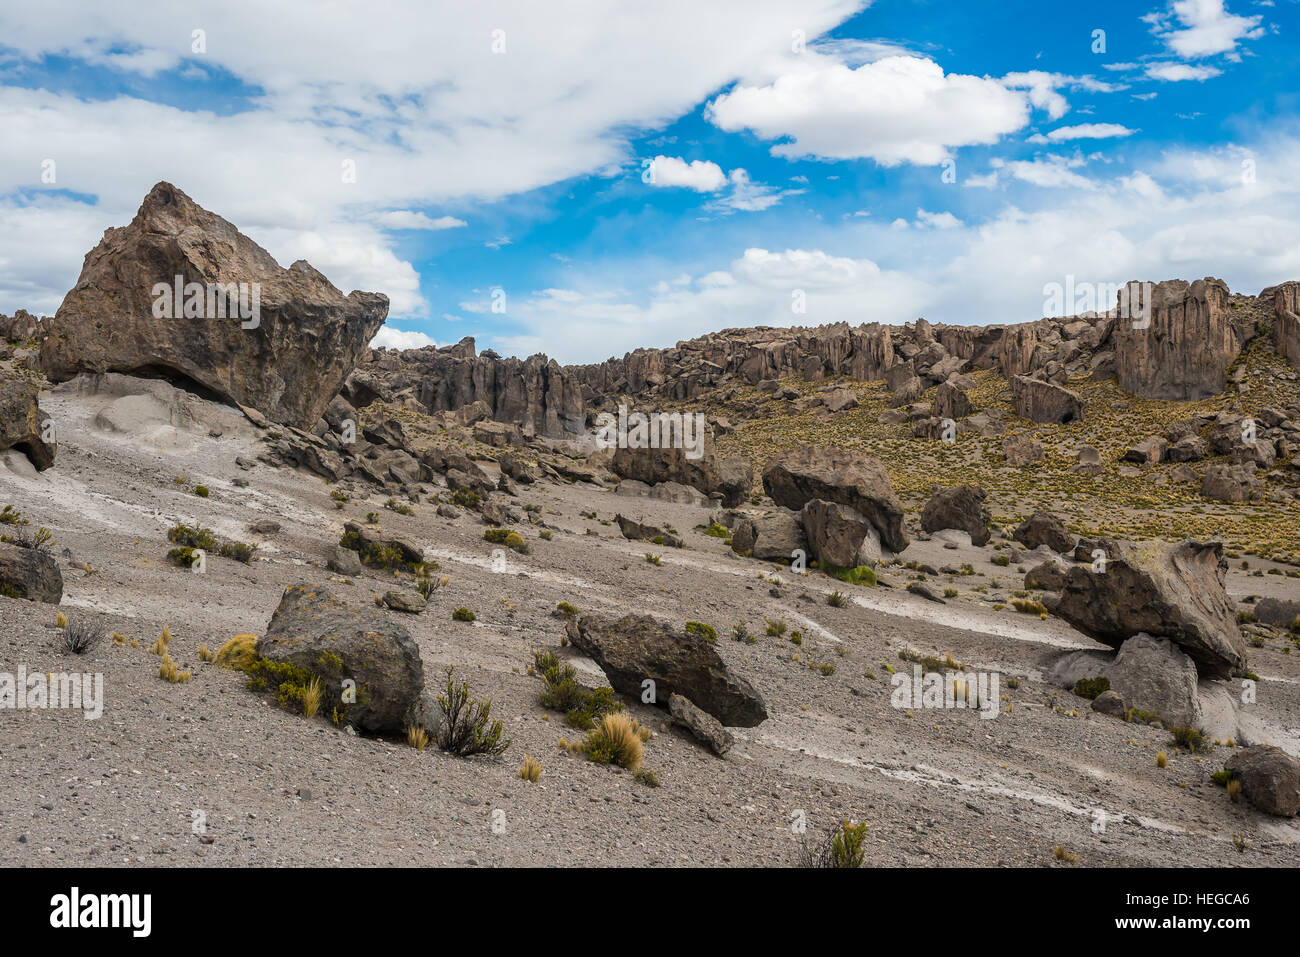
(428, 115)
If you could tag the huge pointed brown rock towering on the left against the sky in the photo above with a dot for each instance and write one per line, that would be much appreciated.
(304, 336)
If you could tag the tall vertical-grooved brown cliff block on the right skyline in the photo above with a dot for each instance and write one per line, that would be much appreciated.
(1184, 349)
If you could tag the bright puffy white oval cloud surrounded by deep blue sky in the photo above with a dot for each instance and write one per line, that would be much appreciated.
(898, 110)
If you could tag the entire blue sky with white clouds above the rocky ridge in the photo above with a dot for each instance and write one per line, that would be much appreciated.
(873, 162)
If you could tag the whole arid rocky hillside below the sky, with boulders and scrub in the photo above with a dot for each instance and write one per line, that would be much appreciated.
(458, 452)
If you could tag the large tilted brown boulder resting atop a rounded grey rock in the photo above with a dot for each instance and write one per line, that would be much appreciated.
(1167, 591)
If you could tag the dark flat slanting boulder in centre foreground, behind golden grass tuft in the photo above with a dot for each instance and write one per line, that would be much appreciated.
(639, 648)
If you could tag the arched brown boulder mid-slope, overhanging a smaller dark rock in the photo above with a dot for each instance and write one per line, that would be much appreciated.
(808, 473)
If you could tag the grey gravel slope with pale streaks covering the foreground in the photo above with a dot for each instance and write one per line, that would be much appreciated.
(275, 789)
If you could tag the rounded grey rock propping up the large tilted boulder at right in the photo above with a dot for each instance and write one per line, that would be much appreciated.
(1154, 675)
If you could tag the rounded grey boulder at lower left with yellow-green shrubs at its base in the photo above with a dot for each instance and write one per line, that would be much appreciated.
(319, 633)
